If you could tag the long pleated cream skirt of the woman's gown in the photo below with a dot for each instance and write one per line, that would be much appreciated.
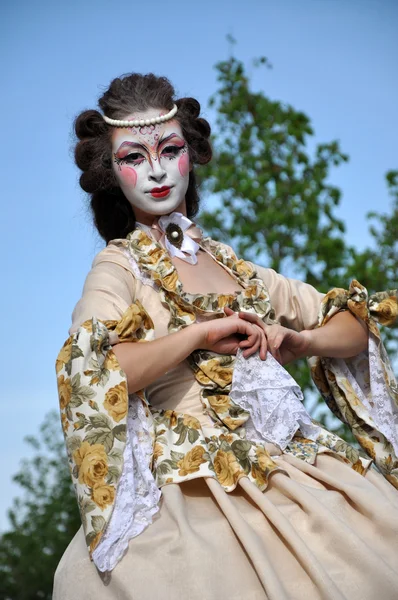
(323, 532)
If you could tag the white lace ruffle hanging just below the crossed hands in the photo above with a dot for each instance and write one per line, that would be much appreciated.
(273, 399)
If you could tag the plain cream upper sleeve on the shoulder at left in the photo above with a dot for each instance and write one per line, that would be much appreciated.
(109, 288)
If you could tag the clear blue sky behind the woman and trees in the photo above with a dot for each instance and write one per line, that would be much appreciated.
(334, 59)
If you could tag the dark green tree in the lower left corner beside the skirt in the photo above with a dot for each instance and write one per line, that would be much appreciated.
(43, 520)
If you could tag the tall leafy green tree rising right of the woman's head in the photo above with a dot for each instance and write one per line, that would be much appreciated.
(275, 205)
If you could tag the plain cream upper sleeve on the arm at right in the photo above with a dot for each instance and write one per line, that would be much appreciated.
(296, 304)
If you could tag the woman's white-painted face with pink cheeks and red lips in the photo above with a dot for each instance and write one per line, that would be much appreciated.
(151, 165)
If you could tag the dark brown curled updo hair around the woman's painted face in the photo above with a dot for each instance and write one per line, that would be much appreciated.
(113, 214)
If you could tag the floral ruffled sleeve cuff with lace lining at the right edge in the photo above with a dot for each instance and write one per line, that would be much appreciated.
(348, 386)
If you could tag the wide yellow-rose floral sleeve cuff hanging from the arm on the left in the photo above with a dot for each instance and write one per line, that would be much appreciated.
(94, 404)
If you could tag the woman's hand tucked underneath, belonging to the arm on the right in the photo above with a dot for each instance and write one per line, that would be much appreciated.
(284, 344)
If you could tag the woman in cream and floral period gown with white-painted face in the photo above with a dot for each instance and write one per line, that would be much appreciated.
(197, 470)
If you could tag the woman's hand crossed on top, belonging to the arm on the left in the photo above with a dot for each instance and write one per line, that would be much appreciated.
(224, 336)
